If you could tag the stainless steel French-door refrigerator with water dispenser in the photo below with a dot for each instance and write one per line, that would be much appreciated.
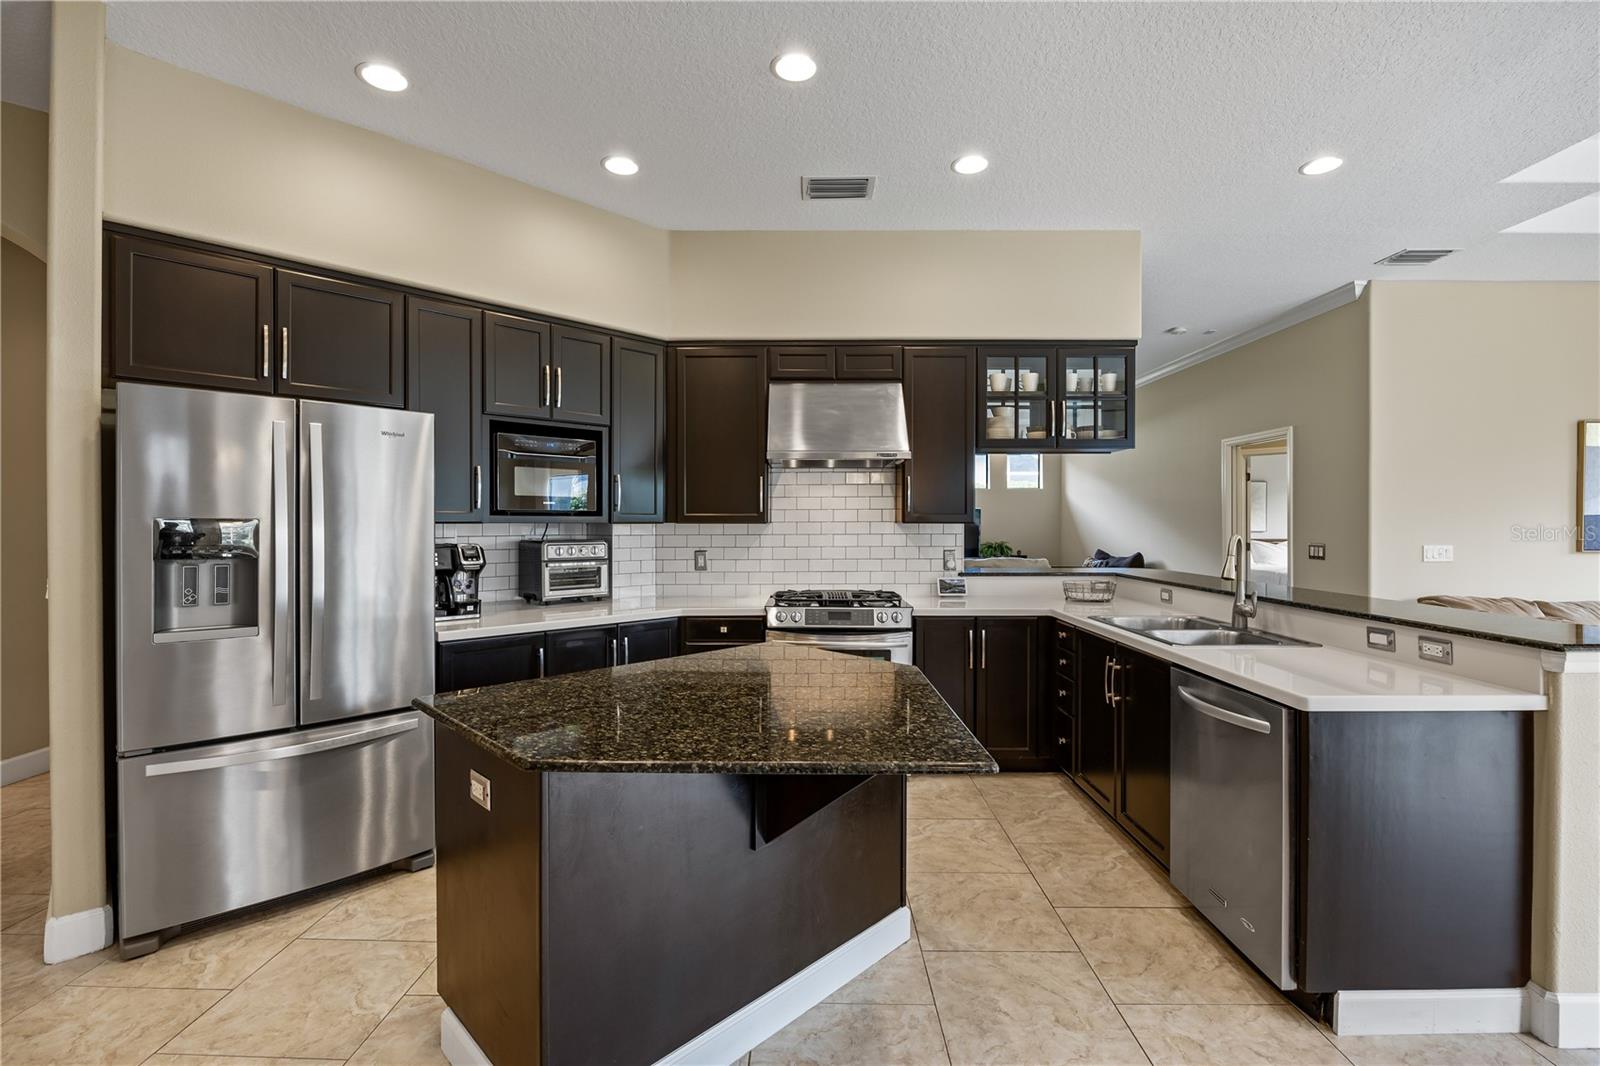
(273, 604)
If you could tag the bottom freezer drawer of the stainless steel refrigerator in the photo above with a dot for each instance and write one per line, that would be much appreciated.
(210, 830)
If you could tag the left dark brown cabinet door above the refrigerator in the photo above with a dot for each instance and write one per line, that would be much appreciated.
(190, 318)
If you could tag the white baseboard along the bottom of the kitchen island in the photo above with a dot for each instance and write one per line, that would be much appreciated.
(753, 1024)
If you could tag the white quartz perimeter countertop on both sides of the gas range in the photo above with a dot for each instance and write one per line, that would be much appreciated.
(1303, 678)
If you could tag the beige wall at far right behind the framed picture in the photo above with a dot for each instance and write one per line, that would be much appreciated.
(1476, 396)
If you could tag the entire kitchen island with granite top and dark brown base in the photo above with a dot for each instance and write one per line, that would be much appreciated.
(668, 862)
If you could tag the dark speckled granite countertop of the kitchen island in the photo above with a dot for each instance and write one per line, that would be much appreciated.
(767, 708)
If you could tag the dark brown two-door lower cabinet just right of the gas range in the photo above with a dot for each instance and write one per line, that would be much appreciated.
(988, 671)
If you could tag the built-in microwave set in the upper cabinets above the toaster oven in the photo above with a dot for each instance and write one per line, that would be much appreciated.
(548, 471)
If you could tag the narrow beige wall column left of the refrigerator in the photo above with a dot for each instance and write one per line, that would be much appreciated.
(79, 915)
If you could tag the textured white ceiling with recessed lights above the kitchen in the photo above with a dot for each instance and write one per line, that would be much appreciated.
(1183, 121)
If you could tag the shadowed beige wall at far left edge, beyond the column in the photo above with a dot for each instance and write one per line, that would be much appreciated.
(25, 683)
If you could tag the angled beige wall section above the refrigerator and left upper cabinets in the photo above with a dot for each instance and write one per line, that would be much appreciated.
(193, 156)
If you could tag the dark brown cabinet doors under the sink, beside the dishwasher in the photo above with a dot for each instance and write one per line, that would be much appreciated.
(1124, 745)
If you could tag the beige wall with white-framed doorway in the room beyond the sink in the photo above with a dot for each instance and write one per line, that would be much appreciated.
(1166, 497)
